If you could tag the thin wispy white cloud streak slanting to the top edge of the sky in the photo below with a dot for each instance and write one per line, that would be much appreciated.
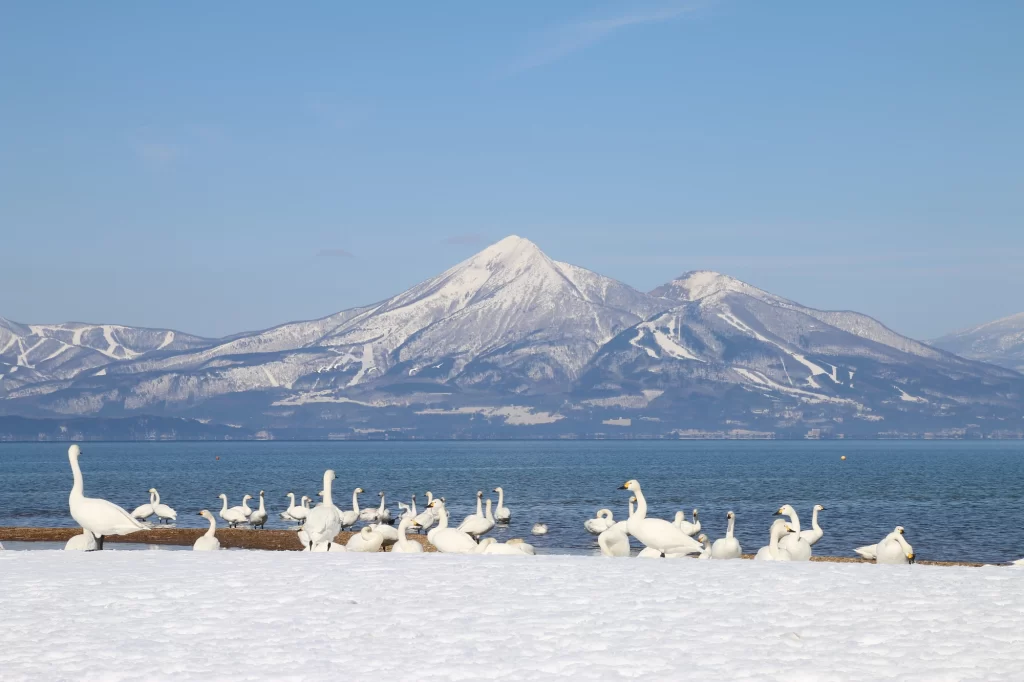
(566, 40)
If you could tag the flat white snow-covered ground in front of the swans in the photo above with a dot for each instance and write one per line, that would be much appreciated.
(285, 616)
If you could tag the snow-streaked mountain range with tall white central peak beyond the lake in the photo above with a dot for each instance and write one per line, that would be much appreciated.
(510, 344)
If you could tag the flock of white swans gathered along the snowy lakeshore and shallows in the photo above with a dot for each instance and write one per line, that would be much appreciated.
(319, 527)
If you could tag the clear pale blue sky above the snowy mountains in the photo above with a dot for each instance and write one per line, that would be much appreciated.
(218, 167)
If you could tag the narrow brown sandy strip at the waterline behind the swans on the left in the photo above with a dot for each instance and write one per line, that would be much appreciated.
(230, 538)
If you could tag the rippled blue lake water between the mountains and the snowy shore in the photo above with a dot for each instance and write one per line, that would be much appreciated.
(958, 500)
